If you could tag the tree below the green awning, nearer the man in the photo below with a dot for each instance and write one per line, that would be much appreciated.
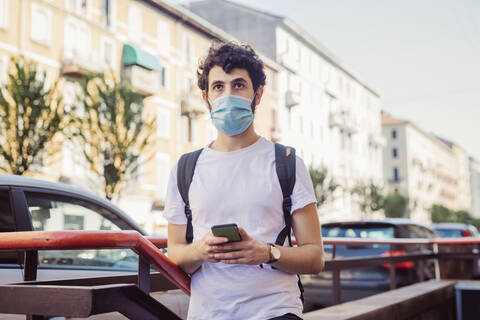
(113, 130)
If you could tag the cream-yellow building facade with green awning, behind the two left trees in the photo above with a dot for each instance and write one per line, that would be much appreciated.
(156, 45)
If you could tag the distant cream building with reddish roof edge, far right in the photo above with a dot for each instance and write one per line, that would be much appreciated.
(424, 168)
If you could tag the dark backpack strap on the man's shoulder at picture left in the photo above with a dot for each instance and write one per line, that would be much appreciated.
(185, 171)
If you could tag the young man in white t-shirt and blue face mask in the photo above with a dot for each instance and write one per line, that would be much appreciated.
(235, 181)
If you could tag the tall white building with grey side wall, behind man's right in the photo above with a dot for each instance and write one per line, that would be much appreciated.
(328, 114)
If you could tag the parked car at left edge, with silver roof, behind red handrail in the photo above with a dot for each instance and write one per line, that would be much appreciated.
(29, 204)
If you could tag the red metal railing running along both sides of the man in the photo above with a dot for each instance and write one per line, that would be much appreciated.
(146, 247)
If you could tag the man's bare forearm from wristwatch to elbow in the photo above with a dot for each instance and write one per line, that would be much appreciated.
(306, 259)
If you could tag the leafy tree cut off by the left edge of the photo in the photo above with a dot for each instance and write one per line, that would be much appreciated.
(31, 116)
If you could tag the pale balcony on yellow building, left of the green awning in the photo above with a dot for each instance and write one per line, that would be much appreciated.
(76, 64)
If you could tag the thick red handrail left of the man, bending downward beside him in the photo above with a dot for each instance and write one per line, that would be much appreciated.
(83, 240)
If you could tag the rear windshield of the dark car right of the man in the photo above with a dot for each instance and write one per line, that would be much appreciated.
(367, 232)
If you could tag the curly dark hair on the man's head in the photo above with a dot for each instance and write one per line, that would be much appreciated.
(230, 55)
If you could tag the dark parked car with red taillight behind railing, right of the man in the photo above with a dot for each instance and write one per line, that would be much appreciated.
(363, 282)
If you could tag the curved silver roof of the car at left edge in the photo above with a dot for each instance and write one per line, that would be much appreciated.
(21, 181)
